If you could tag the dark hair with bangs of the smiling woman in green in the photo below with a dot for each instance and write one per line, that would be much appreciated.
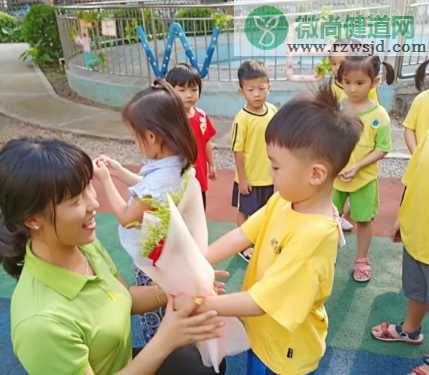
(35, 175)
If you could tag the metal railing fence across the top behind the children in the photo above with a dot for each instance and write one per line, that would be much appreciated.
(122, 54)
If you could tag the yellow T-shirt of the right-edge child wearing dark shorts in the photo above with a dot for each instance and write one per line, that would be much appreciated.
(414, 211)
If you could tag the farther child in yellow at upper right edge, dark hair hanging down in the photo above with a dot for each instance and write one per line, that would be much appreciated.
(416, 123)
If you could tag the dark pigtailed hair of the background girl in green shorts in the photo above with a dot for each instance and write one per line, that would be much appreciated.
(371, 65)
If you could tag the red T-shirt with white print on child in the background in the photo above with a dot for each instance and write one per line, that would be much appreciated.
(203, 131)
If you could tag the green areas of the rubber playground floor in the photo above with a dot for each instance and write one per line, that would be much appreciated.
(353, 308)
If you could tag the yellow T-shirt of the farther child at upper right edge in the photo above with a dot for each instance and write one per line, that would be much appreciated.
(418, 116)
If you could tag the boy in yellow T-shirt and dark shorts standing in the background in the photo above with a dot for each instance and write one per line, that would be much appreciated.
(253, 184)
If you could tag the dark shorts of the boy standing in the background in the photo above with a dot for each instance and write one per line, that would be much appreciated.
(249, 204)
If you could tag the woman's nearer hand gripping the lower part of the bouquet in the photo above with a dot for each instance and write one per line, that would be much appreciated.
(179, 329)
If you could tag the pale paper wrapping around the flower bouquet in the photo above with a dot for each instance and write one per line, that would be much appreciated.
(183, 268)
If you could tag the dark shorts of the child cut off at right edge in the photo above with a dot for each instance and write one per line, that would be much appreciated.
(415, 279)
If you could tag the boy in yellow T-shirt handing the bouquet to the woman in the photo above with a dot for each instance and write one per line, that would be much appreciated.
(296, 237)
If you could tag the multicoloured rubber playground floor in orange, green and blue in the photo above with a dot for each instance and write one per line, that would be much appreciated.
(353, 308)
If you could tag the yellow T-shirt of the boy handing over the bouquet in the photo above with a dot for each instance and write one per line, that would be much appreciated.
(290, 276)
